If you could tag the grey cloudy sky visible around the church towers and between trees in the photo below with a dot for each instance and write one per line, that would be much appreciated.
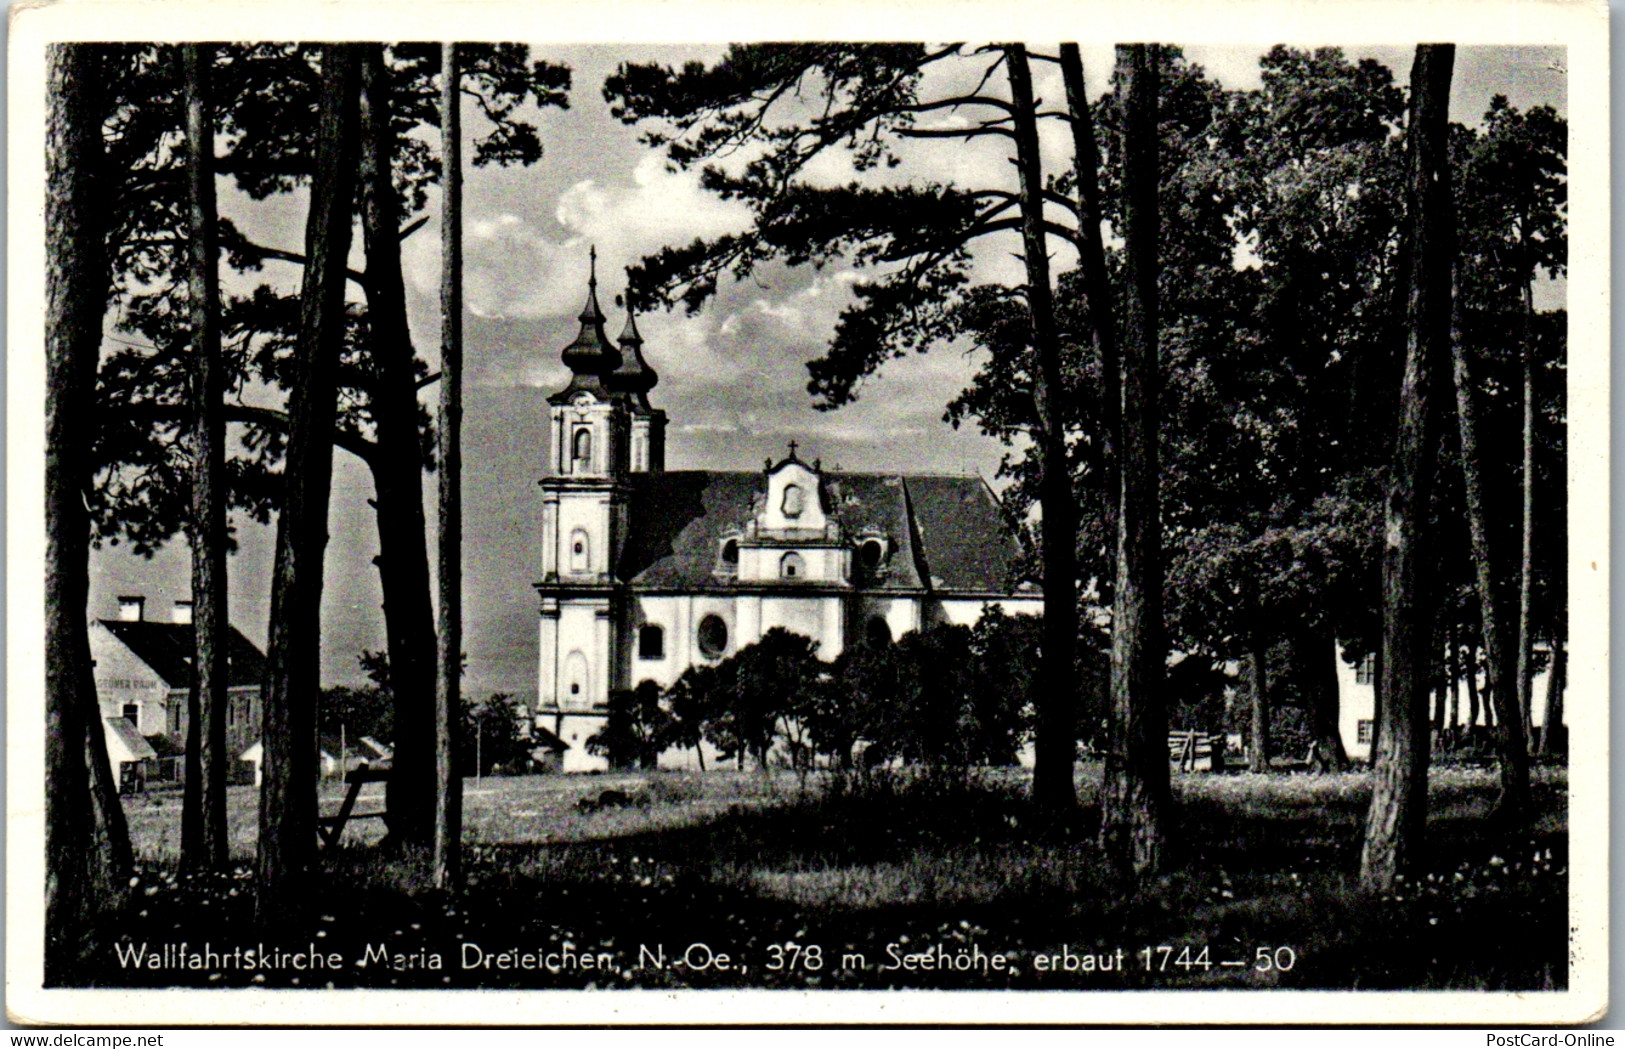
(732, 381)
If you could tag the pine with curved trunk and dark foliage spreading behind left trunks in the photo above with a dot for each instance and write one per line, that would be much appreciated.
(269, 149)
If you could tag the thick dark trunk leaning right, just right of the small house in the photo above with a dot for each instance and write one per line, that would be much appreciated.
(287, 848)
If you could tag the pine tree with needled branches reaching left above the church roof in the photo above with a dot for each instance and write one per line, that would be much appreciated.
(789, 105)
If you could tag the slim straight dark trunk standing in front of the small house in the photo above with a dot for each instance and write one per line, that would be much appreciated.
(207, 762)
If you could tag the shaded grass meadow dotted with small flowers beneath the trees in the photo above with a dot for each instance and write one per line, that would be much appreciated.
(885, 883)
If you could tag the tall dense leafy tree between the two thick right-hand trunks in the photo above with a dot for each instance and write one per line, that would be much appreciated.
(1272, 480)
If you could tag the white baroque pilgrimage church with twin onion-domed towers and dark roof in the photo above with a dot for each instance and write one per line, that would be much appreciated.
(652, 571)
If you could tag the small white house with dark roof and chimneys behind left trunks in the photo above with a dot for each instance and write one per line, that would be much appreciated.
(144, 675)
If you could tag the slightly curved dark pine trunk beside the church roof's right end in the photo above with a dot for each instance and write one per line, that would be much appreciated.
(1057, 730)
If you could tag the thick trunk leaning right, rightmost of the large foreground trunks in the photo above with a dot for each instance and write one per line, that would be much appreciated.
(1398, 816)
